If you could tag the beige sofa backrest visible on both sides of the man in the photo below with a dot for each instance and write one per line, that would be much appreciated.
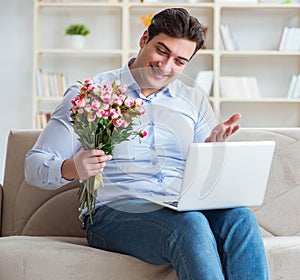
(29, 210)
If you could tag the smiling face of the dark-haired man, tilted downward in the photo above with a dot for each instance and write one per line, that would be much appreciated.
(160, 61)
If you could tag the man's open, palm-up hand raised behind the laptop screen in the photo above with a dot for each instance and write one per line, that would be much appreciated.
(224, 130)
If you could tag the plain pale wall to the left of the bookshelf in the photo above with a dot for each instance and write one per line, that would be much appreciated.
(16, 19)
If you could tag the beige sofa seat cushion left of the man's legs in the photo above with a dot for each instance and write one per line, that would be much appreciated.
(36, 258)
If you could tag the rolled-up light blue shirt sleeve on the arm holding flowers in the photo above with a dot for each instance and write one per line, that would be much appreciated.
(56, 143)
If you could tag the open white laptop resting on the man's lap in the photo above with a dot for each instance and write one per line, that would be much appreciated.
(222, 175)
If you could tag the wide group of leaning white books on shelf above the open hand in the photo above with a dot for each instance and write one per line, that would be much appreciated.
(239, 87)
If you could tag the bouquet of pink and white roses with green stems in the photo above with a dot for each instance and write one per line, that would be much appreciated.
(103, 116)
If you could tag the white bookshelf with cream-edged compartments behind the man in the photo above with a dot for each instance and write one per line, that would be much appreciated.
(116, 29)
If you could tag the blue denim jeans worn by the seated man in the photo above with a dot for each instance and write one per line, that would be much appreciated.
(215, 244)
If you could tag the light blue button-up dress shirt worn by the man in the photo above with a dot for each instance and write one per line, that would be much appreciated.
(175, 117)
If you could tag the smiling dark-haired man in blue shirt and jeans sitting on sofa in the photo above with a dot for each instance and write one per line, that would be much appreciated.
(205, 245)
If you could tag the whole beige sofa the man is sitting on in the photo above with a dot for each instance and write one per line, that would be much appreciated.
(42, 237)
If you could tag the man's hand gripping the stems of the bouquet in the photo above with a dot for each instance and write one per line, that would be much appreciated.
(84, 164)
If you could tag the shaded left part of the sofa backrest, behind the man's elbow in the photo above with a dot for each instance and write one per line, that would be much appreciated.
(28, 210)
